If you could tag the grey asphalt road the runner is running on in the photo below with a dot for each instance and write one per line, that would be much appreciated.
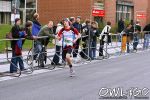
(125, 71)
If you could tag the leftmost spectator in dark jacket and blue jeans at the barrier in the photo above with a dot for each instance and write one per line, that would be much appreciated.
(16, 45)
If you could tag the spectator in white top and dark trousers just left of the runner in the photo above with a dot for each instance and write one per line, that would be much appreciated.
(58, 46)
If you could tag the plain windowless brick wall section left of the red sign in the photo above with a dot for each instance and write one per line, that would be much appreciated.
(57, 9)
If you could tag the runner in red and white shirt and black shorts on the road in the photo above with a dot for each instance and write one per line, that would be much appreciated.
(69, 36)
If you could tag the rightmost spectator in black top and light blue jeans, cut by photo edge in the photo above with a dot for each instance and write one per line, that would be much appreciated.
(146, 36)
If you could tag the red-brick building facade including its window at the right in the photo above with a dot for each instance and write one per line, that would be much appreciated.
(114, 9)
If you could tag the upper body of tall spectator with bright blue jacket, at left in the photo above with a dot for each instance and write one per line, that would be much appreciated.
(36, 25)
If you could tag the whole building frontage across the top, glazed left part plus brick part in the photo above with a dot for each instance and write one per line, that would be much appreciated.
(99, 10)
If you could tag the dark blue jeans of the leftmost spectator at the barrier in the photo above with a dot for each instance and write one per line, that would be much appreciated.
(14, 63)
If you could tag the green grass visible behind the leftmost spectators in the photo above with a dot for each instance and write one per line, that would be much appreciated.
(6, 29)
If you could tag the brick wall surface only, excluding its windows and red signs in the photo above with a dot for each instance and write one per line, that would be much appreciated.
(57, 9)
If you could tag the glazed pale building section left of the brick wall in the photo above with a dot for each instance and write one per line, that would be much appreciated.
(11, 9)
